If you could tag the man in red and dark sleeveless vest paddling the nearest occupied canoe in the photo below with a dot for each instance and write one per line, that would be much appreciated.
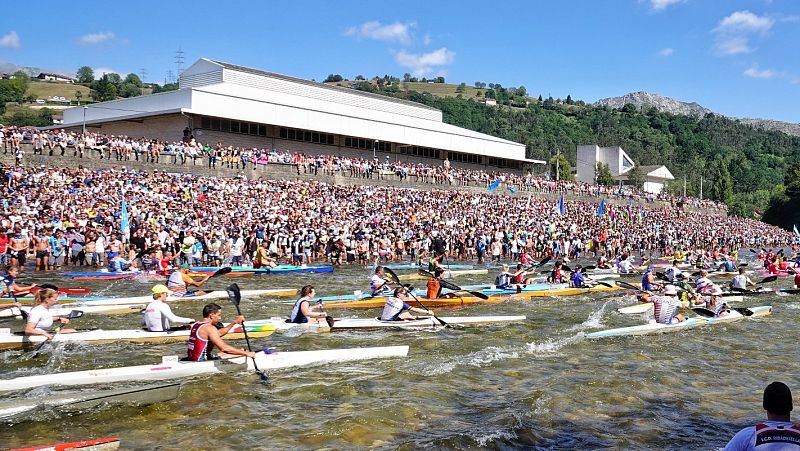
(204, 336)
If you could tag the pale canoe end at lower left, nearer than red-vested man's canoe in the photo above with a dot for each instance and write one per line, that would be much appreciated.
(76, 402)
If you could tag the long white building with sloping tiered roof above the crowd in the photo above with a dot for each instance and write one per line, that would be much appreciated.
(240, 106)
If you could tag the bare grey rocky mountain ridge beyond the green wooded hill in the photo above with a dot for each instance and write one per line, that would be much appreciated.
(666, 104)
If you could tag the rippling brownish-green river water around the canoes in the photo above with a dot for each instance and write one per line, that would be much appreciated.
(539, 384)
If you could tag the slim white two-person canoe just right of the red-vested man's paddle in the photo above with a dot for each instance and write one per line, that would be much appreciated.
(376, 324)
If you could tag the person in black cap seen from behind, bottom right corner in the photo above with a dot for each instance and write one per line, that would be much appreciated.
(778, 432)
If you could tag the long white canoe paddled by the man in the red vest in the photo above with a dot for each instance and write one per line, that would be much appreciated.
(172, 368)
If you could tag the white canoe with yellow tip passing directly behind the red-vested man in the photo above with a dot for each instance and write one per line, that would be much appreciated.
(14, 340)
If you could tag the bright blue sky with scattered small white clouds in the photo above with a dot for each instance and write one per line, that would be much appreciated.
(737, 57)
